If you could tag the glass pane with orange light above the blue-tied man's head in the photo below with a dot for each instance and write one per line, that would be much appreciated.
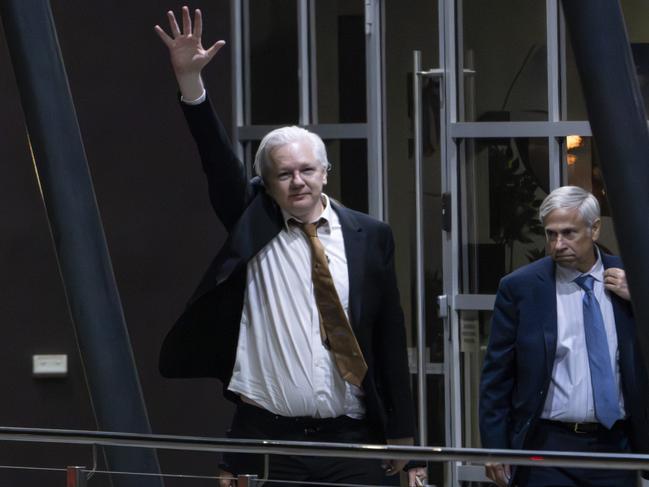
(582, 169)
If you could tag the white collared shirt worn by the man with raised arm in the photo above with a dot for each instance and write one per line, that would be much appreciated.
(281, 363)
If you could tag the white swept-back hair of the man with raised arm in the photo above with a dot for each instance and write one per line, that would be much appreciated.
(287, 135)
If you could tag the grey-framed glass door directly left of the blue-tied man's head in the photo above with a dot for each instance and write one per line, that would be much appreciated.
(507, 101)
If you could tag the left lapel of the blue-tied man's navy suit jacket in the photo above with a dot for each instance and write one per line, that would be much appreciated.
(546, 298)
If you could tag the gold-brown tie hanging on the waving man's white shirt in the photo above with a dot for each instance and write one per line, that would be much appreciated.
(334, 326)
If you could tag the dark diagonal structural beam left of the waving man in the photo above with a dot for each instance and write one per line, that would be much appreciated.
(78, 235)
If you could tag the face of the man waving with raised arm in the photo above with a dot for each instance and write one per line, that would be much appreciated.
(295, 180)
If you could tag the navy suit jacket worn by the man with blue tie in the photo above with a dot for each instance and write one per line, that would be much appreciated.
(520, 356)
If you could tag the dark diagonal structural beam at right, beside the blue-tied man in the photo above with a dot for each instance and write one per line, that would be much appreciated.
(619, 124)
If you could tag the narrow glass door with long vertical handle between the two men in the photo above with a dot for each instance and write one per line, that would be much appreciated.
(415, 185)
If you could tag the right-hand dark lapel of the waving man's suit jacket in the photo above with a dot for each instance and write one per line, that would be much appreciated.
(355, 252)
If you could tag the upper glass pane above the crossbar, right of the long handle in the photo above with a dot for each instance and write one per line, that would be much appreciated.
(504, 41)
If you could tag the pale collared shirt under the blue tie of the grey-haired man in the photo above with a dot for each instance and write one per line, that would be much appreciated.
(570, 395)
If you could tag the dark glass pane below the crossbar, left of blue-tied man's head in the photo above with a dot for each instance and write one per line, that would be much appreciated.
(503, 182)
